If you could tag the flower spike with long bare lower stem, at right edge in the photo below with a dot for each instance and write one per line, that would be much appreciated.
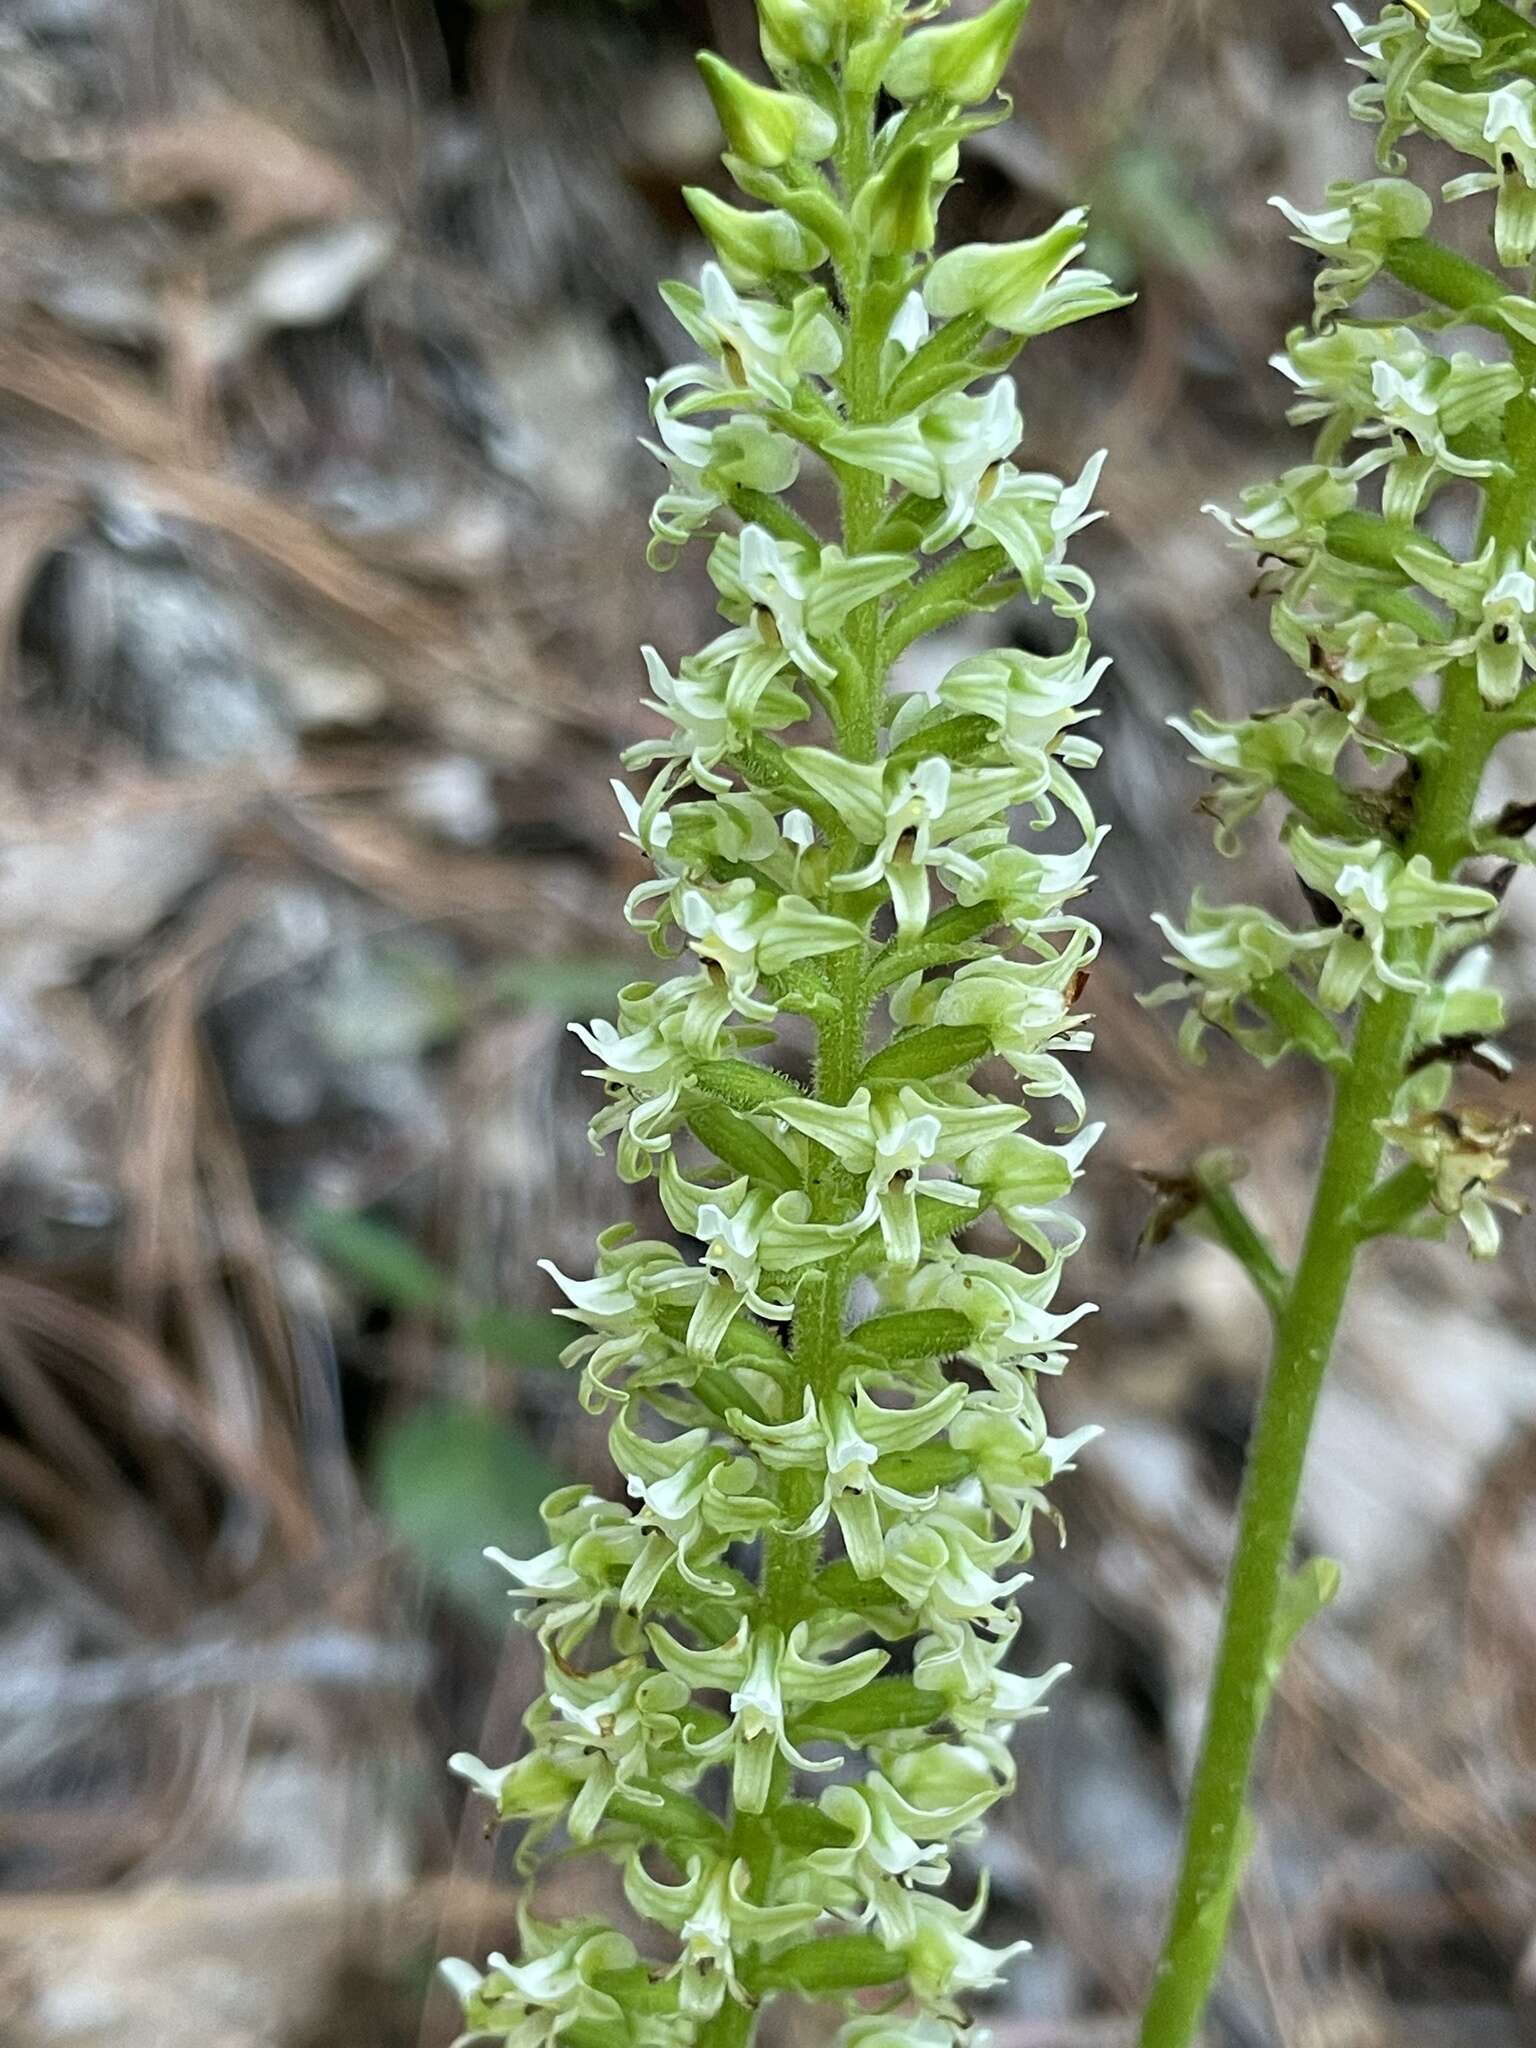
(1416, 663)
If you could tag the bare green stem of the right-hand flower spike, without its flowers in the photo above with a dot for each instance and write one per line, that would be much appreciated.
(1308, 1320)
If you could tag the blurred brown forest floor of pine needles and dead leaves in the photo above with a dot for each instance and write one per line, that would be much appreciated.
(323, 345)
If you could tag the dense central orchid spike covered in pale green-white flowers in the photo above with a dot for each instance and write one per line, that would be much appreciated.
(814, 1494)
